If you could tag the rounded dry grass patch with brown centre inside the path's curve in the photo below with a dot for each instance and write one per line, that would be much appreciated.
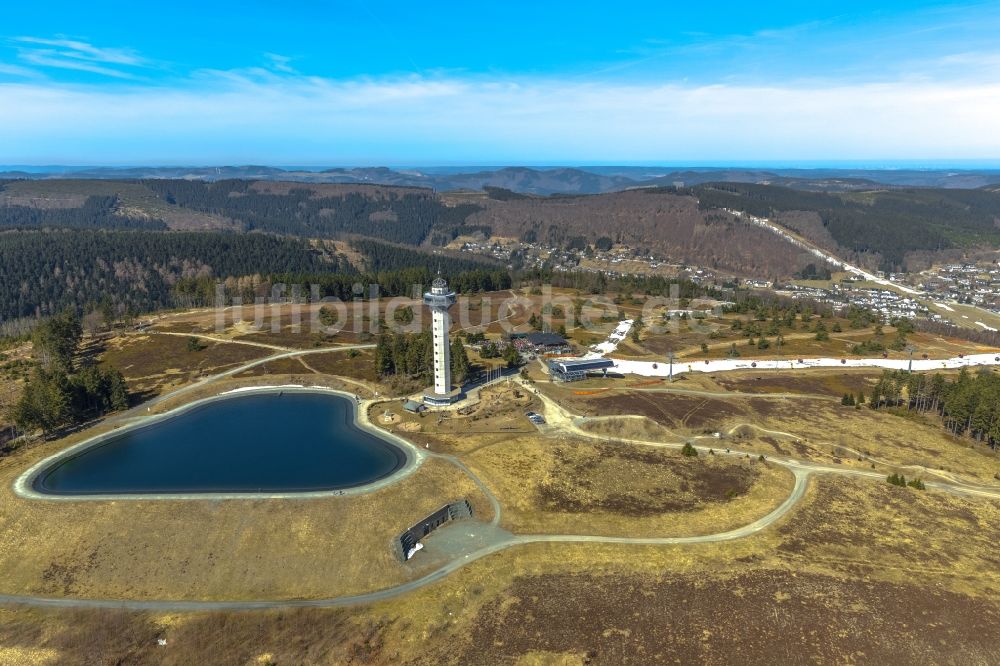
(578, 487)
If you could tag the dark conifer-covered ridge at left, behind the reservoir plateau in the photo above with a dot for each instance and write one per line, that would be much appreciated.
(42, 272)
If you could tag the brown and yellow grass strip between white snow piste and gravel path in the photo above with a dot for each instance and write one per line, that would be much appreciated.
(815, 429)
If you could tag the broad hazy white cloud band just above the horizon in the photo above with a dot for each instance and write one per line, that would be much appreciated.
(256, 115)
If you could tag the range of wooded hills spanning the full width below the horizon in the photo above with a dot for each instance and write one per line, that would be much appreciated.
(886, 228)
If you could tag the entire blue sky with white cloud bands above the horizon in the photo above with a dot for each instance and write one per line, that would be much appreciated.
(339, 83)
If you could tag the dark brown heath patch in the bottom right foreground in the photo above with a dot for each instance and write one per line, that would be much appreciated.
(757, 617)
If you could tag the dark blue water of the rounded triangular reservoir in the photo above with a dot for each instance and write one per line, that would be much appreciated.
(292, 442)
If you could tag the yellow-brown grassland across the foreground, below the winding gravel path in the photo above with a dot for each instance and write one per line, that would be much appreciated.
(781, 595)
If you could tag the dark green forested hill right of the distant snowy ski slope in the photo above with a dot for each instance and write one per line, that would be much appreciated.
(890, 224)
